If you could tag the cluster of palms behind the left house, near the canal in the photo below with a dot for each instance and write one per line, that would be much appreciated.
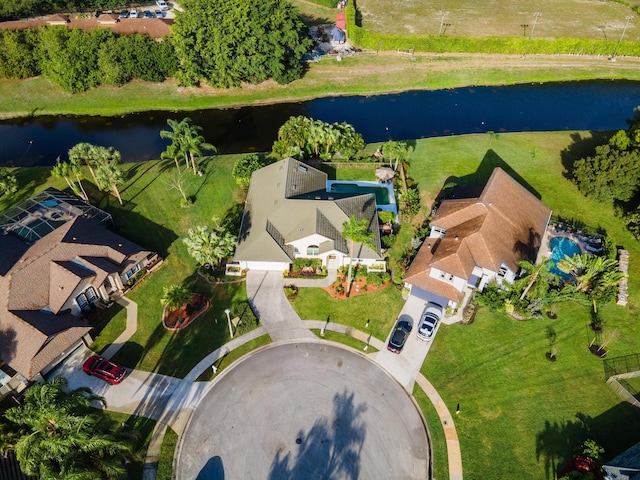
(104, 164)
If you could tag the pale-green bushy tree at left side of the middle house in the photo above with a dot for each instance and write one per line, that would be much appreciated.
(210, 247)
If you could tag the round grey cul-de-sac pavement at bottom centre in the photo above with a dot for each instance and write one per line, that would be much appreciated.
(304, 410)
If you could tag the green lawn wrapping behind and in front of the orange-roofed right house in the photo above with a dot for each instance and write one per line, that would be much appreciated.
(520, 412)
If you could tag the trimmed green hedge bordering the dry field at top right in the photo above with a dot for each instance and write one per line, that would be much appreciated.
(506, 45)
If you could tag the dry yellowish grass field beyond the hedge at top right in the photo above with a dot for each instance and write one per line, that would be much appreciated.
(559, 18)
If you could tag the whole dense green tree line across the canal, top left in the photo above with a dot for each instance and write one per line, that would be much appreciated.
(225, 44)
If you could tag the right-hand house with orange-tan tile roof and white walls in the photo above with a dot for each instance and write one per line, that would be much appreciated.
(474, 241)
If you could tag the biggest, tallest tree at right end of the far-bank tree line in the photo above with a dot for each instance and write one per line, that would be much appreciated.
(235, 41)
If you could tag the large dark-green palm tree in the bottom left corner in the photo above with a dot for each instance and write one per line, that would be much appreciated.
(63, 437)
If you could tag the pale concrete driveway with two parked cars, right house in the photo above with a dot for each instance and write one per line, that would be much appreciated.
(406, 365)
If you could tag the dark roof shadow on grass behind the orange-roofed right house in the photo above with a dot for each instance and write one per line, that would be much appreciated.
(470, 186)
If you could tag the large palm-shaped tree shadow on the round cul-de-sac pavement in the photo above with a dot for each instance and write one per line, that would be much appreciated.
(331, 448)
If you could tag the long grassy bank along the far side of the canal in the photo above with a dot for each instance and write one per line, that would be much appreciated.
(363, 75)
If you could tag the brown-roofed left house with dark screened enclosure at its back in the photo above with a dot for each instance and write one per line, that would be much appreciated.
(60, 261)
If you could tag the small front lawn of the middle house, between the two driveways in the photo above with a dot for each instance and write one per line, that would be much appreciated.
(382, 308)
